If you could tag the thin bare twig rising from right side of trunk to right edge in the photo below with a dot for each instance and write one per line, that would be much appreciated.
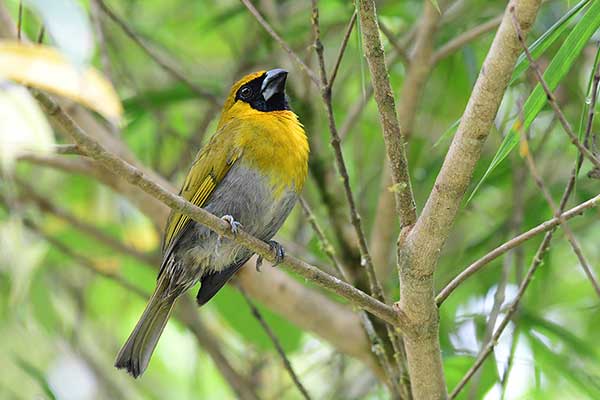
(514, 242)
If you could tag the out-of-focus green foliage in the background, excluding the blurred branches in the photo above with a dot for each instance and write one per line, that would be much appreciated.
(62, 324)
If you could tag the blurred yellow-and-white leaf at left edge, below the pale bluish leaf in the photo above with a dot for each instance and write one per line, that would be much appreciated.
(45, 68)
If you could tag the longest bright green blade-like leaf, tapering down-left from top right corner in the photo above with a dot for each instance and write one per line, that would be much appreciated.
(556, 71)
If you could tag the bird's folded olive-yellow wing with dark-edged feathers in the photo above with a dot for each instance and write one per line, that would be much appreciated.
(209, 169)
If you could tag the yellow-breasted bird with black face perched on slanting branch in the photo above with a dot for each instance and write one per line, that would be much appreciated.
(250, 174)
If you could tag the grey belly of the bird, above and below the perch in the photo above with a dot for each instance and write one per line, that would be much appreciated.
(247, 196)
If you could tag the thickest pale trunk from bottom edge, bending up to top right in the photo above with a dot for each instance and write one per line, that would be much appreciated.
(419, 255)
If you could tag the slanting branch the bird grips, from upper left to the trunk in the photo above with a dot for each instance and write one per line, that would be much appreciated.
(138, 178)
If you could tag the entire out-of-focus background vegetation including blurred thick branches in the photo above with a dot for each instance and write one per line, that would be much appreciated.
(79, 247)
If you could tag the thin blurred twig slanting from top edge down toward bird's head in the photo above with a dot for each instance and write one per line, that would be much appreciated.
(165, 64)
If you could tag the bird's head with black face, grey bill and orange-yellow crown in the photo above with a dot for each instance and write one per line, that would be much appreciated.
(259, 92)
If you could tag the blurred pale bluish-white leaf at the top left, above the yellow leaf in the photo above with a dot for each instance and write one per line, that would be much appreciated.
(68, 25)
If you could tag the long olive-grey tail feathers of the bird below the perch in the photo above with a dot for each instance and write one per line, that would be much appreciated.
(135, 354)
